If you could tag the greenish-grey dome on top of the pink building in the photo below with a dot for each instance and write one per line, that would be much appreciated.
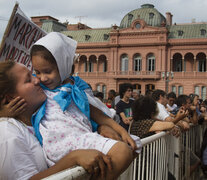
(147, 12)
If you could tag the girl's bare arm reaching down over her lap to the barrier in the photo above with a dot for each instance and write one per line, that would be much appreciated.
(100, 118)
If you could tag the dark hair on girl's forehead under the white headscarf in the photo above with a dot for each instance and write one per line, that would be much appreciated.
(38, 50)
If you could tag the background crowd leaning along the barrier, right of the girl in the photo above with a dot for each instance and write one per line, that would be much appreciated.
(145, 115)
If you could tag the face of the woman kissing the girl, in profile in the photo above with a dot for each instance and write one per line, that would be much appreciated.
(27, 87)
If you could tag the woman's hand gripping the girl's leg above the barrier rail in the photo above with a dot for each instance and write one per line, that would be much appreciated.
(93, 161)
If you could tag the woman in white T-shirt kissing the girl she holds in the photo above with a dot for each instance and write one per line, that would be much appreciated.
(21, 154)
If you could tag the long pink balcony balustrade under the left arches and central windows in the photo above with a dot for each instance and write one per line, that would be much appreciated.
(154, 75)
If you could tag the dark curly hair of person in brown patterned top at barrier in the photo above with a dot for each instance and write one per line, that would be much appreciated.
(144, 108)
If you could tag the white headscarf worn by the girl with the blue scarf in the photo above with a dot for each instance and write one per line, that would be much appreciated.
(62, 48)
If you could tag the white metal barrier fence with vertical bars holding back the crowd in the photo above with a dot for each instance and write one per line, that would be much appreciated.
(162, 156)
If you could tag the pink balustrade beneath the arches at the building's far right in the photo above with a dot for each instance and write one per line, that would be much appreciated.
(190, 75)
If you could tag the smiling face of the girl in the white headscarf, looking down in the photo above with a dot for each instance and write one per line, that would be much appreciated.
(47, 72)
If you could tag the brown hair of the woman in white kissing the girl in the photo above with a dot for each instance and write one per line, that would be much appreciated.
(7, 79)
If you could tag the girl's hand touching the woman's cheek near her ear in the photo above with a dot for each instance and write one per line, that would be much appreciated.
(14, 108)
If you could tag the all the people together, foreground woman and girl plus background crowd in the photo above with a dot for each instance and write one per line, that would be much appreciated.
(52, 120)
